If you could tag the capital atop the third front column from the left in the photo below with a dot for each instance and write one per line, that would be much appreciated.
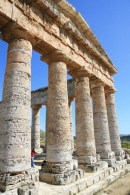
(81, 72)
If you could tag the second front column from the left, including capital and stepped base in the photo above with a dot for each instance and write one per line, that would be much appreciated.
(59, 158)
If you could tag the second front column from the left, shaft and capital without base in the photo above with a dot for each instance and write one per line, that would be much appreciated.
(58, 125)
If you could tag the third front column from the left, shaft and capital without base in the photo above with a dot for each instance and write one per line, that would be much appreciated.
(85, 140)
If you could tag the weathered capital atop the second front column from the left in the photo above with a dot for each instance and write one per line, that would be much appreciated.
(55, 56)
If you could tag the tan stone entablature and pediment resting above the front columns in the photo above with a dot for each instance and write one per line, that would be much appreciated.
(56, 29)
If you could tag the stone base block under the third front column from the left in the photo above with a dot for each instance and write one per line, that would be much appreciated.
(95, 167)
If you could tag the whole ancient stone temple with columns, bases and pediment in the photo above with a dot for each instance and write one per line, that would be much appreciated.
(66, 43)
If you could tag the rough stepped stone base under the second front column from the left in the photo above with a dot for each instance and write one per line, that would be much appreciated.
(60, 173)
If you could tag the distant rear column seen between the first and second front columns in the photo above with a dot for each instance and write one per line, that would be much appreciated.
(35, 134)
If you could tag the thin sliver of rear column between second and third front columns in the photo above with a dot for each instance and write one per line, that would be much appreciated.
(71, 127)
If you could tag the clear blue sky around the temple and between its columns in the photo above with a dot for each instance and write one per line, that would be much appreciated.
(110, 22)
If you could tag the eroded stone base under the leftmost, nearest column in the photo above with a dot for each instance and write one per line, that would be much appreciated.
(10, 181)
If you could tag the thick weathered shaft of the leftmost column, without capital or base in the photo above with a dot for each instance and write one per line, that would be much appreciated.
(15, 132)
